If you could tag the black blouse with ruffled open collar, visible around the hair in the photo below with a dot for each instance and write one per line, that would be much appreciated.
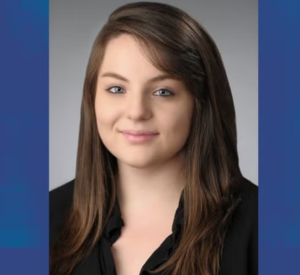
(240, 252)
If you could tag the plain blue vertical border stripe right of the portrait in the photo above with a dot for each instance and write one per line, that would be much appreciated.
(279, 137)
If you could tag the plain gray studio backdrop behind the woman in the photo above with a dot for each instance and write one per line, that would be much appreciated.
(74, 24)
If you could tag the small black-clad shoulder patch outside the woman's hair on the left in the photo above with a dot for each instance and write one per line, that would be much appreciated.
(60, 202)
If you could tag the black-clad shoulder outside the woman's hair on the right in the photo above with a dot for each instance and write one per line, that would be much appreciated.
(241, 242)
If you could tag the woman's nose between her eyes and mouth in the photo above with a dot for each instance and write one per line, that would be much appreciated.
(138, 107)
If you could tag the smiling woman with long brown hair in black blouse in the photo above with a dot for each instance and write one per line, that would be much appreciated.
(158, 186)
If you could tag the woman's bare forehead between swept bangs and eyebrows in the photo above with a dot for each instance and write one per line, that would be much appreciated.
(124, 55)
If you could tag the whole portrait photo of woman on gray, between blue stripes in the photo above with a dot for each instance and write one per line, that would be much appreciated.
(153, 138)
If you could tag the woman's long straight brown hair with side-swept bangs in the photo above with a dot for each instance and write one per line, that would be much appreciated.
(177, 44)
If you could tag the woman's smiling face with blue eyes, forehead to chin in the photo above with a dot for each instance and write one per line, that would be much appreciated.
(143, 119)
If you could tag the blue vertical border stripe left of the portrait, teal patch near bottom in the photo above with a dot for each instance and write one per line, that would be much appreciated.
(24, 134)
